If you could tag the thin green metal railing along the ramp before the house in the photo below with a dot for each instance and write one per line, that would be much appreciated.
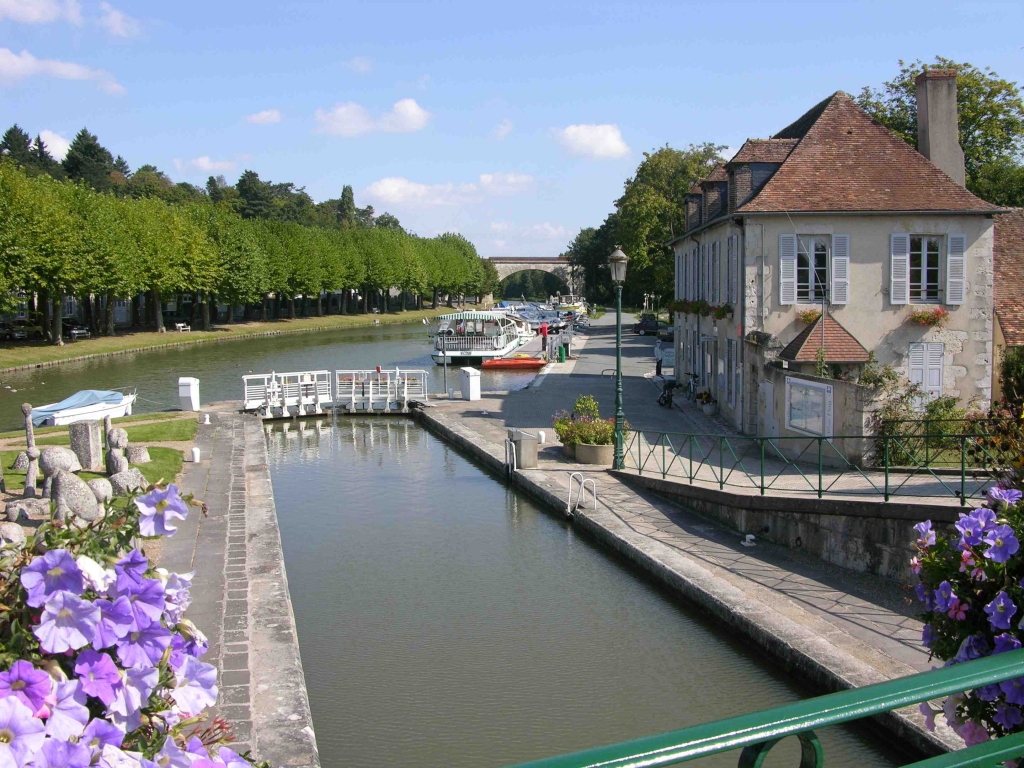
(848, 465)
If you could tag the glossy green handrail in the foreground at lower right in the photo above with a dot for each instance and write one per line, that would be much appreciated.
(757, 734)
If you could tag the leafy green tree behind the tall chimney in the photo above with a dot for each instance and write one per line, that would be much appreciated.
(990, 110)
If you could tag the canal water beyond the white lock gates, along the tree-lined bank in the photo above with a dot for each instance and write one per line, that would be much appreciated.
(220, 367)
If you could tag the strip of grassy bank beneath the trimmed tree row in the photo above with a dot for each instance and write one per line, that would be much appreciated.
(18, 356)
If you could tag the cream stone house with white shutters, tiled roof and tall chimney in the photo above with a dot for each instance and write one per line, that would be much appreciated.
(836, 215)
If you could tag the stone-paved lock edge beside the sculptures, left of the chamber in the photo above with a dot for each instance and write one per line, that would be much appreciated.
(241, 599)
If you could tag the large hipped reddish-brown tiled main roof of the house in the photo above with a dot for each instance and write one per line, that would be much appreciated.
(846, 161)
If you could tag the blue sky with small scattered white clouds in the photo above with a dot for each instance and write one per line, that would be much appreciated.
(515, 124)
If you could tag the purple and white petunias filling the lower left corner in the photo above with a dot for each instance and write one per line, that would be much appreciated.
(101, 667)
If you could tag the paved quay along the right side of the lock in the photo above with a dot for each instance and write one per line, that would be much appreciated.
(836, 628)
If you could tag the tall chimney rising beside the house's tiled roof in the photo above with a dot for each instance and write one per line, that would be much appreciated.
(938, 139)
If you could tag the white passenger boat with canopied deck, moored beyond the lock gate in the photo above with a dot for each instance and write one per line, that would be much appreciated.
(466, 336)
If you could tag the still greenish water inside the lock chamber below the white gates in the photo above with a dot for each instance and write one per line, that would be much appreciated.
(445, 620)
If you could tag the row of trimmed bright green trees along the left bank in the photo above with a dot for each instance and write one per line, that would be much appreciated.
(62, 238)
